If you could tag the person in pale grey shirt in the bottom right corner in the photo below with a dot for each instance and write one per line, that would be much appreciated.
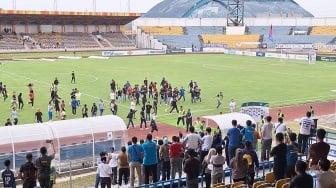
(325, 177)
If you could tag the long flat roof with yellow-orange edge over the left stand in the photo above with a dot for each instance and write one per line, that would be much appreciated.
(65, 18)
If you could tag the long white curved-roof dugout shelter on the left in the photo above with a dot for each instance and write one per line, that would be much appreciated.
(74, 139)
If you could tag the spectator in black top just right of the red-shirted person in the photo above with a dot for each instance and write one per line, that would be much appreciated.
(192, 167)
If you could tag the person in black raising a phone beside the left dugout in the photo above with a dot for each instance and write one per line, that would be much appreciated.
(43, 166)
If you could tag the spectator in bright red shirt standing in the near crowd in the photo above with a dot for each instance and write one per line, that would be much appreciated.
(175, 150)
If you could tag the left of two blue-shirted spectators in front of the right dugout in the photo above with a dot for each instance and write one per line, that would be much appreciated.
(234, 139)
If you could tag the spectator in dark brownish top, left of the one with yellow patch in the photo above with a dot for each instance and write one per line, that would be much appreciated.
(239, 166)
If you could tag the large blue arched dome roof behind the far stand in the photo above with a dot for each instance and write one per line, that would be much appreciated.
(220, 9)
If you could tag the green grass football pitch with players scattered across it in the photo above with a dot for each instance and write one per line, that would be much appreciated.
(278, 82)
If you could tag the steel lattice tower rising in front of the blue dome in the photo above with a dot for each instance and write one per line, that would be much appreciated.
(235, 15)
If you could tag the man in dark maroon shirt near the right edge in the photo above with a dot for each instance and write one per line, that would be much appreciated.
(318, 150)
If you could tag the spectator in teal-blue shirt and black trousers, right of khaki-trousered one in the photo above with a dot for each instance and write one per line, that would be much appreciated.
(150, 159)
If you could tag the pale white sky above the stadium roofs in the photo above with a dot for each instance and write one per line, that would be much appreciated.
(319, 8)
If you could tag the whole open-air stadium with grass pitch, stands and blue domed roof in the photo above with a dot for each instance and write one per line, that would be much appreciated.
(267, 55)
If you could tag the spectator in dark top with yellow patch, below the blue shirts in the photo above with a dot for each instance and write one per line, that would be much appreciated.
(252, 160)
